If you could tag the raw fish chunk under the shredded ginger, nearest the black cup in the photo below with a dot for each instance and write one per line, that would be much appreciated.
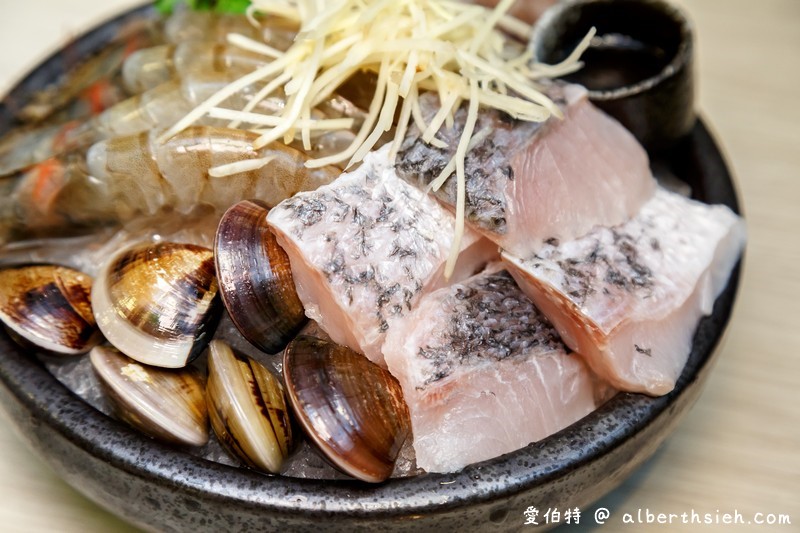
(528, 183)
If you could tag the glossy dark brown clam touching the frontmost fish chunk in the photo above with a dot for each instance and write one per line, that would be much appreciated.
(352, 409)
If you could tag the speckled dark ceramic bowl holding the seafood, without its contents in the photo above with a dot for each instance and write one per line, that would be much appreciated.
(159, 487)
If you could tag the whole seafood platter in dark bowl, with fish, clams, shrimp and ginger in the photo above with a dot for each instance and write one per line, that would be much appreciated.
(408, 265)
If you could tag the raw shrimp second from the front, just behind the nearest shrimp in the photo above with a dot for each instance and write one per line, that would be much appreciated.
(157, 109)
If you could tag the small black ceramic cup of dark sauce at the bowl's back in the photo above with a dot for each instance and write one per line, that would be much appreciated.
(638, 67)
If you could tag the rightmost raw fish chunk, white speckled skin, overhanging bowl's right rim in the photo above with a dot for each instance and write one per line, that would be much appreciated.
(629, 298)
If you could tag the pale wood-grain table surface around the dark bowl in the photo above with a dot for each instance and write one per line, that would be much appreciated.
(739, 448)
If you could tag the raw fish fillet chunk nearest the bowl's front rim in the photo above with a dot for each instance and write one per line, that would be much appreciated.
(484, 373)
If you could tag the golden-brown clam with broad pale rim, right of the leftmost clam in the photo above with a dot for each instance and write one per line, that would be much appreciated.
(158, 302)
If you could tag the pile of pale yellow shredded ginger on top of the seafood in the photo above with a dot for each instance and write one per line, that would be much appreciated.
(464, 52)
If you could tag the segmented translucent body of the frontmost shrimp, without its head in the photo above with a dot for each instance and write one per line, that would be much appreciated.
(176, 173)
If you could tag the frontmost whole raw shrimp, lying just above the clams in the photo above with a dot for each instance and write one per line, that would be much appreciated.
(131, 176)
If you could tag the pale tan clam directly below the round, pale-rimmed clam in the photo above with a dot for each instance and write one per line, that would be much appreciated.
(166, 404)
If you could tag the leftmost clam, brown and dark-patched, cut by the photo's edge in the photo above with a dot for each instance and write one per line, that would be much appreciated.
(48, 307)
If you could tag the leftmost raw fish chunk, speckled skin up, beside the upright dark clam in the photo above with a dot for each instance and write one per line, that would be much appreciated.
(365, 248)
